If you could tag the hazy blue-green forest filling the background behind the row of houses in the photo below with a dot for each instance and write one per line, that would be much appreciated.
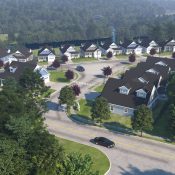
(30, 21)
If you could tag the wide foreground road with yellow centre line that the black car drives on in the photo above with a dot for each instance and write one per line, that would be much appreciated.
(132, 155)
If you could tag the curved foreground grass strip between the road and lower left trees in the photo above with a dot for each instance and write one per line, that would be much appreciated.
(100, 160)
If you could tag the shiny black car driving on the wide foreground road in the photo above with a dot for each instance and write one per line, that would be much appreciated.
(103, 142)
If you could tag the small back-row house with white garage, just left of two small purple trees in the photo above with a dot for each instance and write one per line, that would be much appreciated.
(46, 54)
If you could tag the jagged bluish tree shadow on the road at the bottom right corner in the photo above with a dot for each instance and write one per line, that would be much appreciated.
(135, 171)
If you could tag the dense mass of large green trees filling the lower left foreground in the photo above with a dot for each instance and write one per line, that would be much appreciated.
(26, 147)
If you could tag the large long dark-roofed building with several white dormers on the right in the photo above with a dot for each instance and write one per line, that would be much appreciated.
(141, 85)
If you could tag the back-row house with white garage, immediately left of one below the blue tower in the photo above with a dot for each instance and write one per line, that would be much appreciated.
(90, 50)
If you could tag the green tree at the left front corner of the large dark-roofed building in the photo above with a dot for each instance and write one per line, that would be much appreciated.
(100, 109)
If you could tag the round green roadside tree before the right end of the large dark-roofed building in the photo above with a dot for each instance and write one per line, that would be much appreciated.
(142, 119)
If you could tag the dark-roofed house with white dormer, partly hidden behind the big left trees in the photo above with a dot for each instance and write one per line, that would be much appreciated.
(16, 68)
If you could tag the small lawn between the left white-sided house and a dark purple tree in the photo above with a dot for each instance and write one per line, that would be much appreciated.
(58, 76)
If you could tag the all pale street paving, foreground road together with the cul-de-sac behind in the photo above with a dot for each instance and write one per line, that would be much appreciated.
(132, 155)
